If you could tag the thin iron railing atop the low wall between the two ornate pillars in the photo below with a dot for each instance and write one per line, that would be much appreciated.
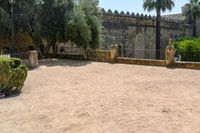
(143, 54)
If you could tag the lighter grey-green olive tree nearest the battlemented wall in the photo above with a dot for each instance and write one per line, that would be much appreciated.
(84, 29)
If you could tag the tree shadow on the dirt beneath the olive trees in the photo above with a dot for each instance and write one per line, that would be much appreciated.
(63, 62)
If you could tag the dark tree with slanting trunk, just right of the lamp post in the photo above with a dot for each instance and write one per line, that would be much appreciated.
(27, 20)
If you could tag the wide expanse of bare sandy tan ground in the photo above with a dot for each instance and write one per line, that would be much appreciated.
(68, 96)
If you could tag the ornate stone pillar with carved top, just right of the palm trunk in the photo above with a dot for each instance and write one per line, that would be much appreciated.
(169, 54)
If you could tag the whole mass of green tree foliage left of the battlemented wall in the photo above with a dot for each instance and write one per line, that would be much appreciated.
(55, 21)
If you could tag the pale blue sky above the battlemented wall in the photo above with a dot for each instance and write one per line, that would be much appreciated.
(136, 6)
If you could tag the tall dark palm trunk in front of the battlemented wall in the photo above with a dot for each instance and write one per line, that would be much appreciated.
(158, 29)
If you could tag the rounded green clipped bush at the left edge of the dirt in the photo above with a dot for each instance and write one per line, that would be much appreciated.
(12, 75)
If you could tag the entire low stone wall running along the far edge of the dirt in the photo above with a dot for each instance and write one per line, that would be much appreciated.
(110, 57)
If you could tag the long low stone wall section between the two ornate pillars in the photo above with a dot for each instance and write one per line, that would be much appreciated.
(141, 61)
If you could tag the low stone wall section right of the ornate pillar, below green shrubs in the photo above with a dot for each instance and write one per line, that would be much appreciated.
(188, 65)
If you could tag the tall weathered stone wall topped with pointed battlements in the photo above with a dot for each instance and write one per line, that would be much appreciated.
(133, 32)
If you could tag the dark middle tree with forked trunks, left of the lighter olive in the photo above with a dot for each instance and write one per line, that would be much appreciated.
(54, 14)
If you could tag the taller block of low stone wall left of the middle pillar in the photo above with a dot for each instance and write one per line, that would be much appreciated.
(99, 55)
